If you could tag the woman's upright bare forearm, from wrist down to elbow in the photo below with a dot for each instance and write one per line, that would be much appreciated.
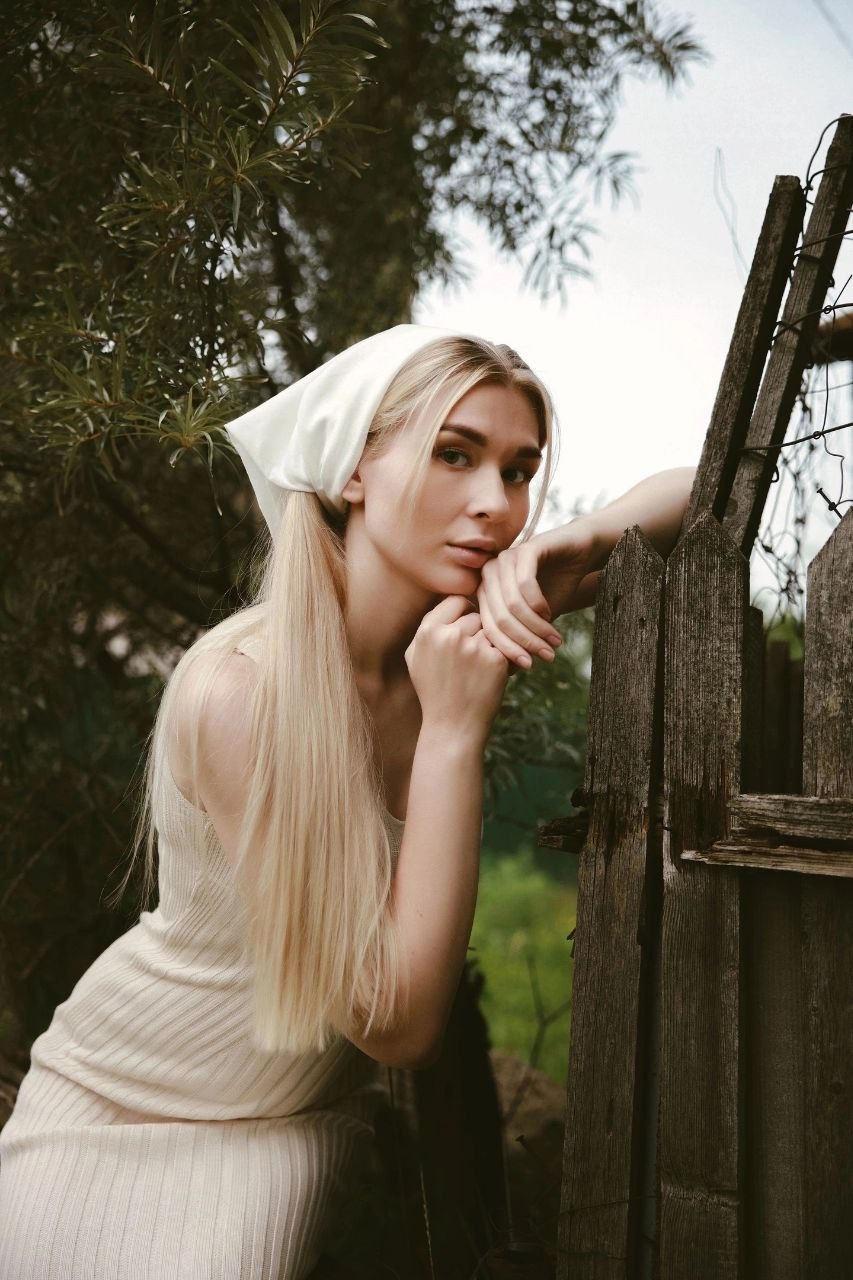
(435, 890)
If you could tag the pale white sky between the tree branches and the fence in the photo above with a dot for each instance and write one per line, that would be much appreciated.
(635, 358)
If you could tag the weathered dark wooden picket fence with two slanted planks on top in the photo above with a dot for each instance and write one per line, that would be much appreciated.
(709, 1099)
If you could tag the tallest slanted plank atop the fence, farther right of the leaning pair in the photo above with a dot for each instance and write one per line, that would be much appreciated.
(793, 345)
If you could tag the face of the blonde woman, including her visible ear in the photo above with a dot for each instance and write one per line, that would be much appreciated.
(477, 490)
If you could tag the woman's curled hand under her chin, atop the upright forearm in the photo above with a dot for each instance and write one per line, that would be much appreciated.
(459, 675)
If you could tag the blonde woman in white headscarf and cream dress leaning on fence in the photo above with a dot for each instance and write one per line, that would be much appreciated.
(314, 790)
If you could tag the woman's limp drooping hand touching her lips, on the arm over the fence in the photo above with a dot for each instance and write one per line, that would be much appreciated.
(532, 583)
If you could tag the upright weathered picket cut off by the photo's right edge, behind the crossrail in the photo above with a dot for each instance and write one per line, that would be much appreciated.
(828, 918)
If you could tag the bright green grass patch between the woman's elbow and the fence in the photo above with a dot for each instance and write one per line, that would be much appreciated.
(519, 940)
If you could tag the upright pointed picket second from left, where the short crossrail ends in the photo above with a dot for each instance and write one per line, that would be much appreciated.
(701, 1146)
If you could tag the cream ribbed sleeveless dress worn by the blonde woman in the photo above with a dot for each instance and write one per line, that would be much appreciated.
(150, 1140)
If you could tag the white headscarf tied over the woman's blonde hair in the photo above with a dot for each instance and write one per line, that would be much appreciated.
(312, 436)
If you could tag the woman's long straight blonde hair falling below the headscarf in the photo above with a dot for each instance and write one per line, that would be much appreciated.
(314, 856)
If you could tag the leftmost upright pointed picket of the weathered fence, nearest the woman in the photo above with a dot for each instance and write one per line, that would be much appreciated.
(618, 902)
